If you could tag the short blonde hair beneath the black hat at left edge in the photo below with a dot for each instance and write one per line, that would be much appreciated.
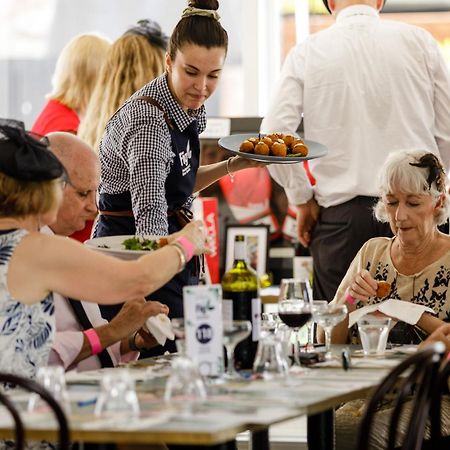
(24, 198)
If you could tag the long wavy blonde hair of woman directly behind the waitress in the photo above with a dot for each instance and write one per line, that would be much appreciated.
(132, 62)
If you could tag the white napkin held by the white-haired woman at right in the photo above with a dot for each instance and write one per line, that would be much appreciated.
(405, 311)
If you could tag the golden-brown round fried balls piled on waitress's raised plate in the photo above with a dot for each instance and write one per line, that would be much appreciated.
(275, 144)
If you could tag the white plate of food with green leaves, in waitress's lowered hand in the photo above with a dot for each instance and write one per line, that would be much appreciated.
(126, 246)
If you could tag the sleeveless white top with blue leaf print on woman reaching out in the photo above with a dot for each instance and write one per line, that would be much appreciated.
(26, 331)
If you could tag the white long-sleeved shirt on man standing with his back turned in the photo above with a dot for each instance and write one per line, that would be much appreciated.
(366, 87)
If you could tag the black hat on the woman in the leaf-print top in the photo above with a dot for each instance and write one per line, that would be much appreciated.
(25, 157)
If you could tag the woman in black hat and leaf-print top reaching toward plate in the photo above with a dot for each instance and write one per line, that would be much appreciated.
(33, 265)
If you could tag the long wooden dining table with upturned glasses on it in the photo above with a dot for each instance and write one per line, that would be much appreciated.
(230, 408)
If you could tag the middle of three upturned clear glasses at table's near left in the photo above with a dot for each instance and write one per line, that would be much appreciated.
(117, 395)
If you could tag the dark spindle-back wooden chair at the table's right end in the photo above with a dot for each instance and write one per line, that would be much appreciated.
(413, 379)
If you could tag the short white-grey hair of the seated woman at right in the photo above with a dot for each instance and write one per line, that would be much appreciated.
(397, 174)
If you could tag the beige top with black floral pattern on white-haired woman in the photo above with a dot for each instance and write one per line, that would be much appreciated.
(430, 287)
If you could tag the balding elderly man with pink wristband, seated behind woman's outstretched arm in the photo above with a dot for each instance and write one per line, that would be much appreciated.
(119, 338)
